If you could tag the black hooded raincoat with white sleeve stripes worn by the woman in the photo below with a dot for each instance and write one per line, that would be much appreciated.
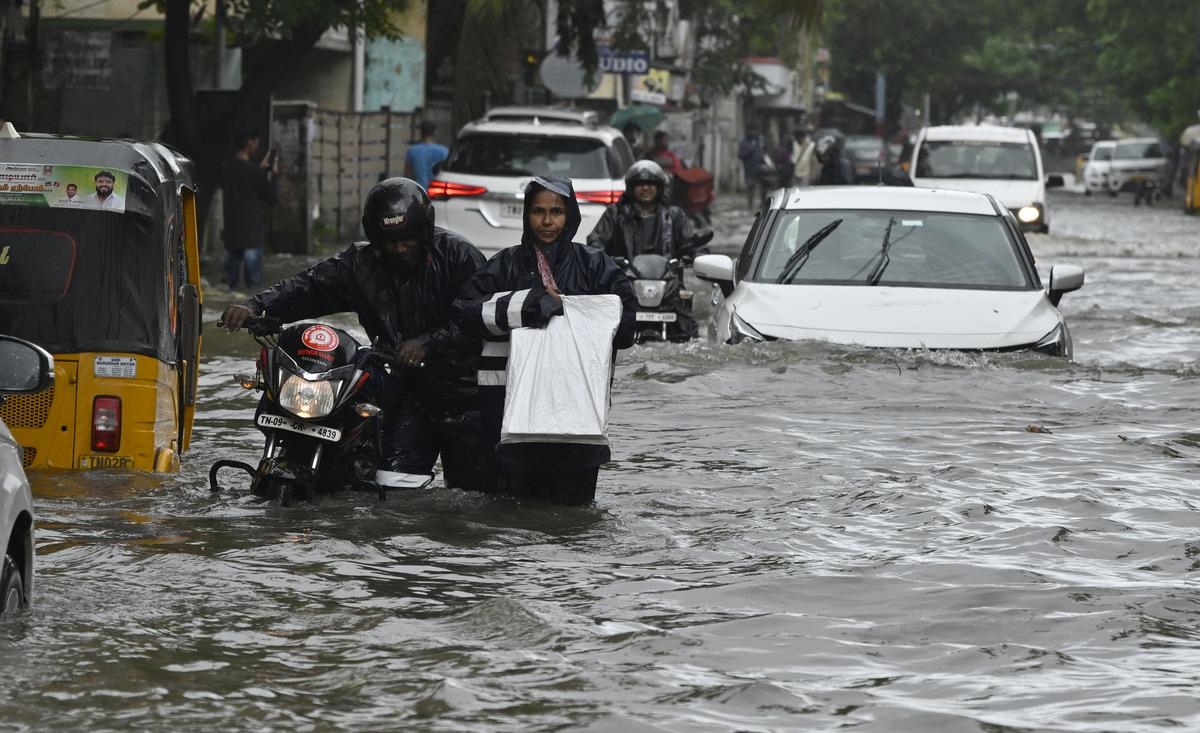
(508, 293)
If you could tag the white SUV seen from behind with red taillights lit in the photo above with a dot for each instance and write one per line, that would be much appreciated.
(479, 190)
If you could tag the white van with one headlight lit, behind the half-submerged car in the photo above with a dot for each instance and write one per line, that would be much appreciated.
(1005, 163)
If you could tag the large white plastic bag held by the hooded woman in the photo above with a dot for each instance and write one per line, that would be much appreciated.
(559, 377)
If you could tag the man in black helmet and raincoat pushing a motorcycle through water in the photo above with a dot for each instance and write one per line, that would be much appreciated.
(401, 284)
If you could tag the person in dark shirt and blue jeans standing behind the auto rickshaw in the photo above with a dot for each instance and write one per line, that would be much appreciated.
(249, 190)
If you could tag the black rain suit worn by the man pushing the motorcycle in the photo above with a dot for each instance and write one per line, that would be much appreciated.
(428, 411)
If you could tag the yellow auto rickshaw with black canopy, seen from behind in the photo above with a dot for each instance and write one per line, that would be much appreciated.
(100, 266)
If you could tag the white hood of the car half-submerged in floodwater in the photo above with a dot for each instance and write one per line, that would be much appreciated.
(890, 317)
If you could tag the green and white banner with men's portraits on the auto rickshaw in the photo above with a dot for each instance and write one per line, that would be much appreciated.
(63, 187)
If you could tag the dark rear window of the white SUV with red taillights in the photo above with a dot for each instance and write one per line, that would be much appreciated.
(530, 155)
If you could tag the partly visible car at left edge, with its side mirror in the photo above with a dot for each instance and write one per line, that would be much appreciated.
(27, 369)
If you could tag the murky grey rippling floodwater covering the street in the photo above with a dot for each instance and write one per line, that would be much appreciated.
(795, 538)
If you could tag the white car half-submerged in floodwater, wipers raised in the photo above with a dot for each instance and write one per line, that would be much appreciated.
(891, 268)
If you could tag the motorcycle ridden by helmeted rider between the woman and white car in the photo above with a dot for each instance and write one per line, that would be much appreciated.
(662, 299)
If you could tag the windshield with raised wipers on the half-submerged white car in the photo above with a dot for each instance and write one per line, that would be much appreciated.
(928, 250)
